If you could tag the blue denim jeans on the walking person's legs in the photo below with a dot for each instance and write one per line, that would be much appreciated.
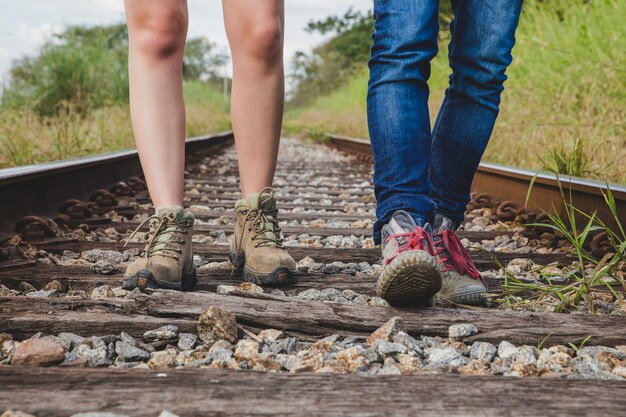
(416, 170)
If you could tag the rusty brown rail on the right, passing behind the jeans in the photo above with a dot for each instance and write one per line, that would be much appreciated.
(498, 183)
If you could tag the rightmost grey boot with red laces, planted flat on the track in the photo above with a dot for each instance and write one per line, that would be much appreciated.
(461, 281)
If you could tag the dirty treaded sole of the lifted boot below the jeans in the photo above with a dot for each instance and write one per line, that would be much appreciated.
(411, 279)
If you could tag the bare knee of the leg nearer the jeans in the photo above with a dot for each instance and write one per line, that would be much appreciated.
(262, 41)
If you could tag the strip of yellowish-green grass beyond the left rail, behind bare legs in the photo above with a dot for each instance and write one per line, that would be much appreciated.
(27, 138)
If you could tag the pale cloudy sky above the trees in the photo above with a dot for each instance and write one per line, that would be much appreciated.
(26, 24)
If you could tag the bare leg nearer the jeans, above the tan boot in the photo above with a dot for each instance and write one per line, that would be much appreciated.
(255, 34)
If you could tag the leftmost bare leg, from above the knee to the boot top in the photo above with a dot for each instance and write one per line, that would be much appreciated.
(157, 32)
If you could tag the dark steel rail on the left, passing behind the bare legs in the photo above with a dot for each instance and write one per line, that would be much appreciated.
(41, 188)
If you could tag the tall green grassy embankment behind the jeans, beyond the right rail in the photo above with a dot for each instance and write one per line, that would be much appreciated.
(566, 84)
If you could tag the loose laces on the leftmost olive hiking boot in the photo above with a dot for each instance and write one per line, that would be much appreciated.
(158, 227)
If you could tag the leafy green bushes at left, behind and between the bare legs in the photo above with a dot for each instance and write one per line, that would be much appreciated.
(85, 68)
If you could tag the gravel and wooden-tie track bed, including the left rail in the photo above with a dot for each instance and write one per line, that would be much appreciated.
(306, 349)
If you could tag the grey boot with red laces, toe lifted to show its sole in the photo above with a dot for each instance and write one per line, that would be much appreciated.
(410, 275)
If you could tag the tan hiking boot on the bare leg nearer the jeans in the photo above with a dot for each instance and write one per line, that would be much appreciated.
(257, 246)
